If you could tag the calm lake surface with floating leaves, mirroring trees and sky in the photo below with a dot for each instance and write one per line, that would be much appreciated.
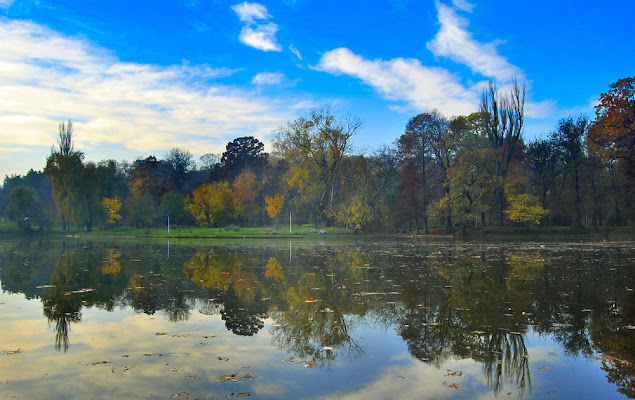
(359, 320)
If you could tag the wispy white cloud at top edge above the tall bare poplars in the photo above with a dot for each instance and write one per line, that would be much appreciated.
(455, 42)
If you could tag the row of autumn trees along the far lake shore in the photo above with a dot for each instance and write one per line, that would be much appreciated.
(472, 170)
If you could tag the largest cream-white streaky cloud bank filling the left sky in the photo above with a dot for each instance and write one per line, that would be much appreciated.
(46, 77)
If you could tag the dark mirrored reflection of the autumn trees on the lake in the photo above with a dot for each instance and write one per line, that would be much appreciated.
(445, 302)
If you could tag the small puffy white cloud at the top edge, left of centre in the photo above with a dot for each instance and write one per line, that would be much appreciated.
(261, 36)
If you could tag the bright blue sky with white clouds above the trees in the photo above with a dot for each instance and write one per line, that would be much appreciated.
(138, 78)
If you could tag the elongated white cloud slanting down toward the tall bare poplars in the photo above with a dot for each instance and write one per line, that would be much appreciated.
(403, 79)
